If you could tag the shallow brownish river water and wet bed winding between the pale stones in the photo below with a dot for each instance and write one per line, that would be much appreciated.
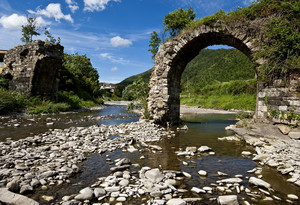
(204, 129)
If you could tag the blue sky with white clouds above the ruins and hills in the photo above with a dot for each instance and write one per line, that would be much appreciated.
(114, 34)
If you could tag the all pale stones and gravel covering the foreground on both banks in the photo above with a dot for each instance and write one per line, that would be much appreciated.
(54, 157)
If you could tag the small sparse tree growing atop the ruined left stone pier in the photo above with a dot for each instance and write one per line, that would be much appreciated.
(29, 30)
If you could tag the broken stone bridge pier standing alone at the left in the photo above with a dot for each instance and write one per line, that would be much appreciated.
(32, 68)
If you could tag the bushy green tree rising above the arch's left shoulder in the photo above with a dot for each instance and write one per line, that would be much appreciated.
(175, 21)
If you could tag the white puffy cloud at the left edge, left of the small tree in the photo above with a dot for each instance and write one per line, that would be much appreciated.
(12, 22)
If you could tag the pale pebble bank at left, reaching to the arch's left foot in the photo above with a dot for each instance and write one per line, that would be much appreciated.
(51, 158)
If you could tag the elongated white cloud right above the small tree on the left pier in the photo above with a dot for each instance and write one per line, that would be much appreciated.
(53, 10)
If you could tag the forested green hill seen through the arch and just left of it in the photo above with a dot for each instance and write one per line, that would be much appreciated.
(209, 67)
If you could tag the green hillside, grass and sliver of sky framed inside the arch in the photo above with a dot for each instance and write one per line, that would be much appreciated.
(218, 71)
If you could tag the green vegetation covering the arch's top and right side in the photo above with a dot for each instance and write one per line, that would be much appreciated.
(281, 42)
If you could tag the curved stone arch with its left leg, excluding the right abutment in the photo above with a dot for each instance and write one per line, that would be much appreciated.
(172, 58)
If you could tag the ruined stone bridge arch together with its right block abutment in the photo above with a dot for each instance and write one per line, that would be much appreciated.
(175, 54)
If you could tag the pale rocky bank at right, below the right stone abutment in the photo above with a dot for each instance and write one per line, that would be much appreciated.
(276, 145)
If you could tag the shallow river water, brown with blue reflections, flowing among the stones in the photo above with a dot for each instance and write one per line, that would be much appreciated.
(203, 129)
